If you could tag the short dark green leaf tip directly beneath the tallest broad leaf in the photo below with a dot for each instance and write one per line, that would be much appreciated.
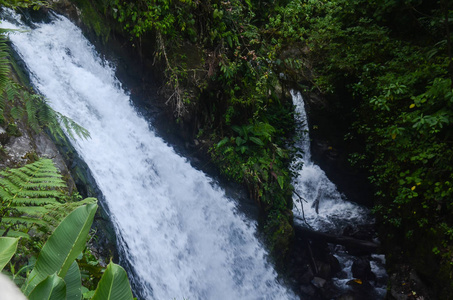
(51, 288)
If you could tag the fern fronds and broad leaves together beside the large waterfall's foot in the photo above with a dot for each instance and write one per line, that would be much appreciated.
(33, 201)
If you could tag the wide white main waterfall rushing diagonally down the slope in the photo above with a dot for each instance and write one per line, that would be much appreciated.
(183, 237)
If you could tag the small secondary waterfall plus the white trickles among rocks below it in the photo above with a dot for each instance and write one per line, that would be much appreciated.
(325, 209)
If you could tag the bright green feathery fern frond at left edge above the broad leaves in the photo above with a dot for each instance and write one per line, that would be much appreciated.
(32, 195)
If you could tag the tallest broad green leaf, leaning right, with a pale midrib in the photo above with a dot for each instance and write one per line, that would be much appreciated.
(63, 246)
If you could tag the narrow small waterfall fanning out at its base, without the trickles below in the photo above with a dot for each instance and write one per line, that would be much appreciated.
(323, 207)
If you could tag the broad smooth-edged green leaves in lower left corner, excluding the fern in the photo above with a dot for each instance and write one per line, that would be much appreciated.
(56, 274)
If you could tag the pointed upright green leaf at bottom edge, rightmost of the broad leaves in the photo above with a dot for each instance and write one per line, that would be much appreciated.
(113, 285)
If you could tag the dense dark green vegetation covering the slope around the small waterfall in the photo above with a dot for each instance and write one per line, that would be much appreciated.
(392, 58)
